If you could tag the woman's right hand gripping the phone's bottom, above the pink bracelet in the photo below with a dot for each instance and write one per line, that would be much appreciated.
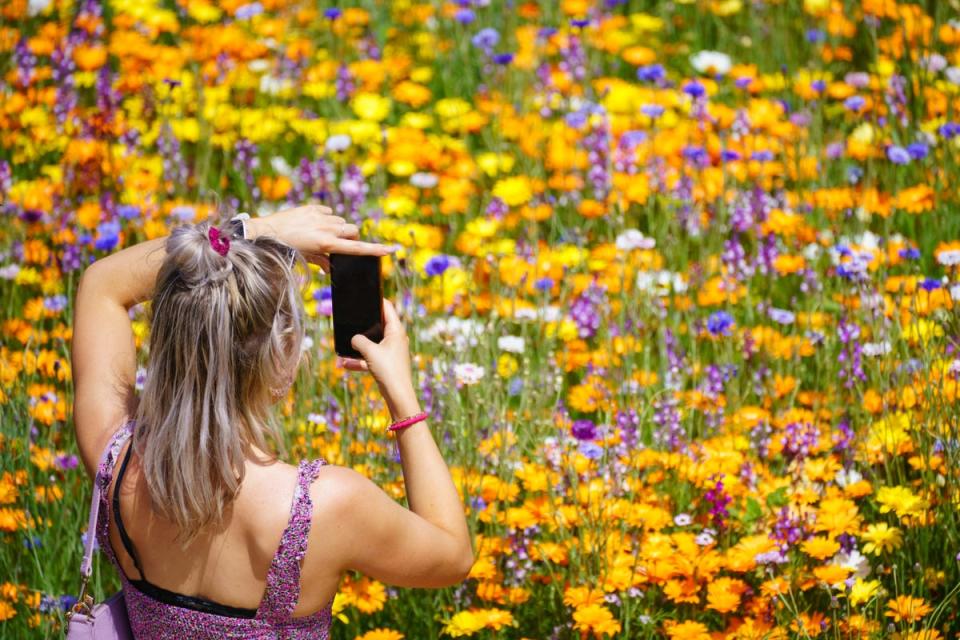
(389, 362)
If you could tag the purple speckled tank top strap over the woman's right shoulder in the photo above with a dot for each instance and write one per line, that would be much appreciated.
(283, 577)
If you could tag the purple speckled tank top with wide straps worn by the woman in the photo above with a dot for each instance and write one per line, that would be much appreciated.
(156, 613)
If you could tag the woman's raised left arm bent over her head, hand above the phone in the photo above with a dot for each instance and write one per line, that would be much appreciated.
(103, 352)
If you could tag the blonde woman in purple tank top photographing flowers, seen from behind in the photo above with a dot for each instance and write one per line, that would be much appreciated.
(211, 534)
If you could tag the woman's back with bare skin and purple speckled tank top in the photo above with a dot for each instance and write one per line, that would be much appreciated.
(242, 580)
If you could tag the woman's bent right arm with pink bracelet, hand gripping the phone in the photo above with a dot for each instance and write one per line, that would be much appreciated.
(427, 545)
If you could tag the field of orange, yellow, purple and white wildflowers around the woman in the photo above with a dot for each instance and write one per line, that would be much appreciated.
(680, 278)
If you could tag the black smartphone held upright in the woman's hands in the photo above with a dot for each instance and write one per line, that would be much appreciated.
(357, 297)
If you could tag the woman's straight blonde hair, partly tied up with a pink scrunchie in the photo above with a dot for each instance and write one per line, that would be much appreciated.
(226, 331)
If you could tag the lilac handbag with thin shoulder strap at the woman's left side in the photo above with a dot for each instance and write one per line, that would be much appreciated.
(107, 620)
